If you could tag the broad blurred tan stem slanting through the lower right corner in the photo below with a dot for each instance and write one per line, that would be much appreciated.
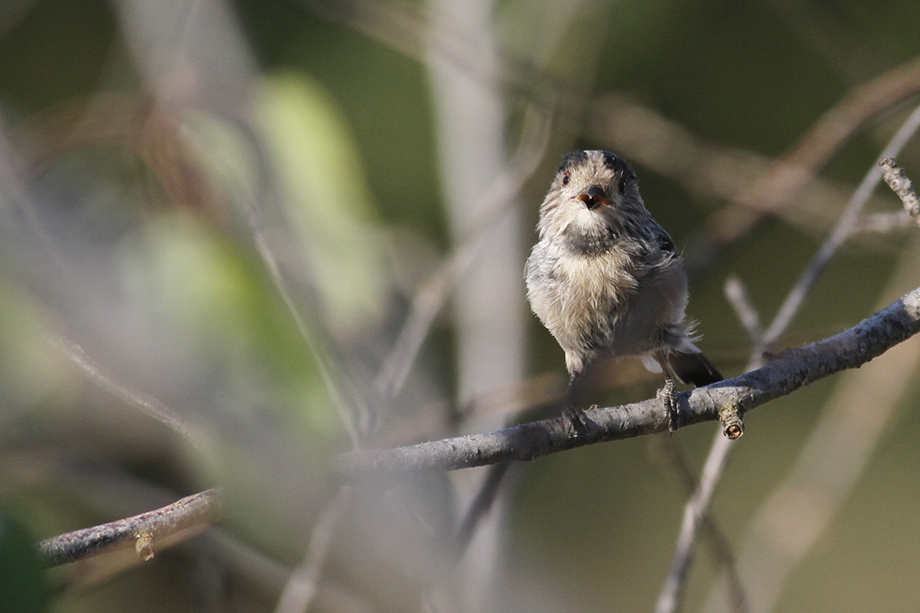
(800, 509)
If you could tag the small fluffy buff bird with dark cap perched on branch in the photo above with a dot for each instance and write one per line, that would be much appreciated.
(607, 281)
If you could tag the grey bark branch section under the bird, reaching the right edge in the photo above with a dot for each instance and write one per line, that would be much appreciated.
(789, 371)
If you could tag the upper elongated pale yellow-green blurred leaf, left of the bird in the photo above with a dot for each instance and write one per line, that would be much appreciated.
(321, 173)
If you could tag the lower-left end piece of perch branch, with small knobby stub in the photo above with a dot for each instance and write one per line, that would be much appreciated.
(145, 532)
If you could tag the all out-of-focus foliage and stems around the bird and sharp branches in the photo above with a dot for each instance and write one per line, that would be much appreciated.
(241, 238)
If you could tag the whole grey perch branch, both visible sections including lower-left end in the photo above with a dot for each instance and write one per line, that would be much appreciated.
(793, 369)
